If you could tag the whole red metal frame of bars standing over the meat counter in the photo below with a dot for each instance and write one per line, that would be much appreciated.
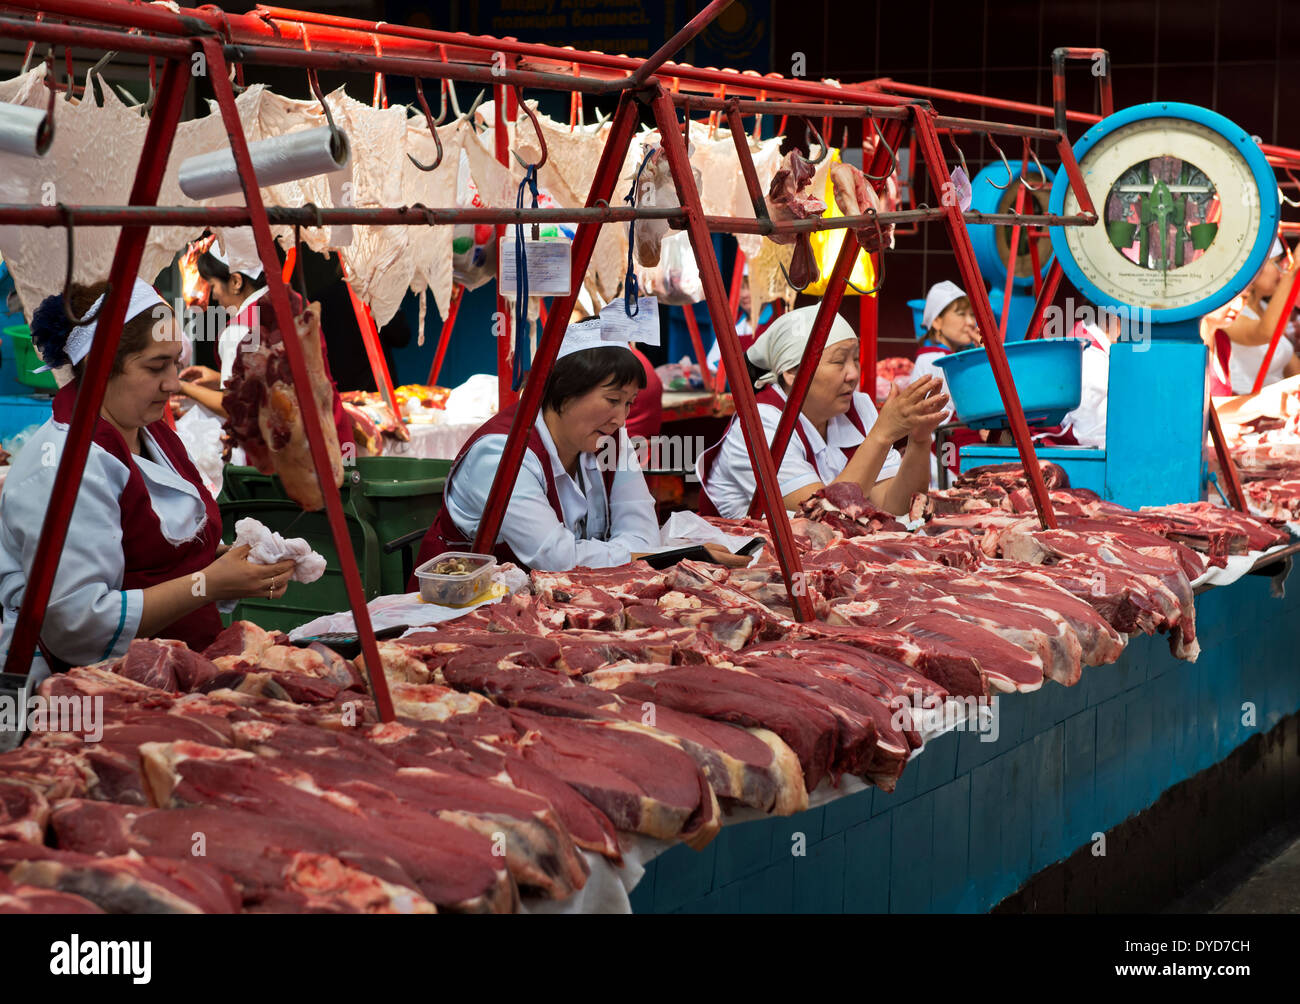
(278, 37)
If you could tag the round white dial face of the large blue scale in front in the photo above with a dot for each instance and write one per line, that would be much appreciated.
(1181, 214)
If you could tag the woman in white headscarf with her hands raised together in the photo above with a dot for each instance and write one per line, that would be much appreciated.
(839, 438)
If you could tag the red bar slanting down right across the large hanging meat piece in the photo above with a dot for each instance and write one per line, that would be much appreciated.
(280, 304)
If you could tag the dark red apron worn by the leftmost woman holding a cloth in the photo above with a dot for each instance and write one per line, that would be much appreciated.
(149, 557)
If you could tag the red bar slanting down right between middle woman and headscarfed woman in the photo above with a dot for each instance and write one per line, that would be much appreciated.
(734, 358)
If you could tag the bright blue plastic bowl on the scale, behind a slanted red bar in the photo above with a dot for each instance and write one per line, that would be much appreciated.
(1048, 376)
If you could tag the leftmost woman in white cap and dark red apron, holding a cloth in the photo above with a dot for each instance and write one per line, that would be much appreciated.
(141, 557)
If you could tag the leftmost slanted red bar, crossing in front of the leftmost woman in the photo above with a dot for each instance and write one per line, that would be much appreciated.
(99, 365)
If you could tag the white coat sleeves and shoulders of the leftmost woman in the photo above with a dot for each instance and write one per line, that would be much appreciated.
(90, 617)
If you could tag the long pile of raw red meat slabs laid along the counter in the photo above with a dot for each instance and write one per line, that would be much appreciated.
(601, 704)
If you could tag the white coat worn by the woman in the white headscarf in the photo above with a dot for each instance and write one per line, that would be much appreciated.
(733, 483)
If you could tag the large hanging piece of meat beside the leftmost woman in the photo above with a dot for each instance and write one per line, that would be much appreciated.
(265, 417)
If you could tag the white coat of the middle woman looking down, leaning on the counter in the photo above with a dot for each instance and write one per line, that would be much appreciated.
(531, 529)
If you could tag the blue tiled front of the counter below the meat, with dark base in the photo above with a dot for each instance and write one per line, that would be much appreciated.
(1108, 797)
